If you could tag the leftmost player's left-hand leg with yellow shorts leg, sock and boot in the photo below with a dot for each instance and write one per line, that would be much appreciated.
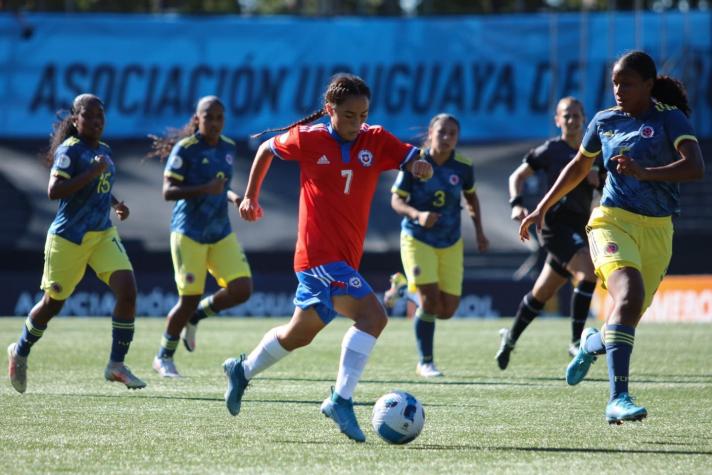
(64, 266)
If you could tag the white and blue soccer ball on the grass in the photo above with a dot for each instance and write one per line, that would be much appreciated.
(398, 417)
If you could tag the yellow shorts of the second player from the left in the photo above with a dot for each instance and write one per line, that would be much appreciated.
(225, 260)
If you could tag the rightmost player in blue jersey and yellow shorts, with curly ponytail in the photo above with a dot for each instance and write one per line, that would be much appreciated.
(648, 146)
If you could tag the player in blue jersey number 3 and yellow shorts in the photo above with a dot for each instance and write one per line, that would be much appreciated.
(431, 244)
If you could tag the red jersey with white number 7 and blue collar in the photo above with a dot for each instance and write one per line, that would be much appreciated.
(337, 183)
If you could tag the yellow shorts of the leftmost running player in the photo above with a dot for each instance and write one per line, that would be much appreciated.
(65, 261)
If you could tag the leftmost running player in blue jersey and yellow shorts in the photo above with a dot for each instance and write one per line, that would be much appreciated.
(81, 234)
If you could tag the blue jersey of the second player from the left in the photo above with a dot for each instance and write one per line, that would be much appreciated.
(194, 162)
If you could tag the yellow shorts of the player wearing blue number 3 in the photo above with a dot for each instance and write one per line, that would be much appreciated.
(425, 264)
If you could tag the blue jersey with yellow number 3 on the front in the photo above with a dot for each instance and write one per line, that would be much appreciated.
(441, 194)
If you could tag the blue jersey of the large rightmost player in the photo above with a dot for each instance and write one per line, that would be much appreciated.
(651, 140)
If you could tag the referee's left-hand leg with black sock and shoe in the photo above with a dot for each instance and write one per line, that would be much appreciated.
(550, 280)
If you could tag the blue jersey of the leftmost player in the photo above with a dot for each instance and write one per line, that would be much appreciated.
(88, 209)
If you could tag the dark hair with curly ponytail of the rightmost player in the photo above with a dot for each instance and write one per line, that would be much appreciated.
(666, 89)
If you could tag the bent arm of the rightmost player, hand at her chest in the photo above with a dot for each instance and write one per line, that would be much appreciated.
(689, 167)
